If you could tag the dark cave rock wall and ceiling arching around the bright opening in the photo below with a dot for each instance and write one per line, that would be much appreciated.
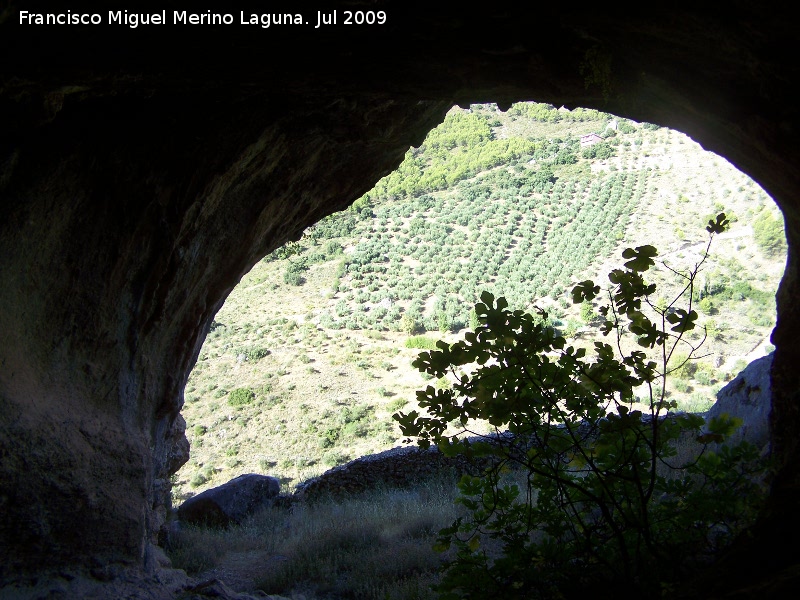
(143, 172)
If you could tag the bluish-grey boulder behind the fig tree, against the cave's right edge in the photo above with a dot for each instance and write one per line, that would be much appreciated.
(748, 397)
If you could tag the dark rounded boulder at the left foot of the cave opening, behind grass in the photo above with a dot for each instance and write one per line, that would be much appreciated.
(231, 502)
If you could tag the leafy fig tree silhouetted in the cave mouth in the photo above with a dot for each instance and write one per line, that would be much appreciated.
(582, 489)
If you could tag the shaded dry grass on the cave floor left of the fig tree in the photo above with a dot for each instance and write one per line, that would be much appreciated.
(374, 546)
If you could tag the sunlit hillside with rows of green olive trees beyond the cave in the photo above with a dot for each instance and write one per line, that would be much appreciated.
(308, 358)
